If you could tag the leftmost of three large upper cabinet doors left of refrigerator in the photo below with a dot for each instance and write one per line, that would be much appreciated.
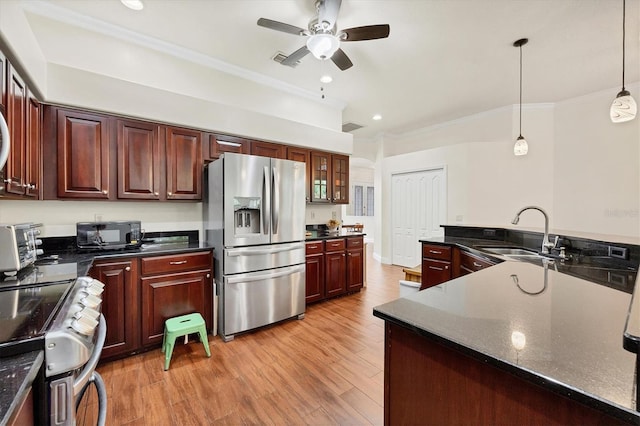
(83, 155)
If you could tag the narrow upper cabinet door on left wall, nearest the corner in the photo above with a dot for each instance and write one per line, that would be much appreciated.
(33, 161)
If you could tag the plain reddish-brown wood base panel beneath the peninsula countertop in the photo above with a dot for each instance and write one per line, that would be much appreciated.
(428, 383)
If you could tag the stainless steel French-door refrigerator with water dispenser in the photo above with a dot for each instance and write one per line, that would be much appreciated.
(254, 216)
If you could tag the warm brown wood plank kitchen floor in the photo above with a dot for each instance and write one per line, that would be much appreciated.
(325, 369)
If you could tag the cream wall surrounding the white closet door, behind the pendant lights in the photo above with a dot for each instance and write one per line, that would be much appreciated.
(581, 168)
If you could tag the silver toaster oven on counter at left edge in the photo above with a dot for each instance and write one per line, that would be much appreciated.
(18, 246)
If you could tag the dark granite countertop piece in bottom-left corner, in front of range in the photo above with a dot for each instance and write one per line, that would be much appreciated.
(17, 374)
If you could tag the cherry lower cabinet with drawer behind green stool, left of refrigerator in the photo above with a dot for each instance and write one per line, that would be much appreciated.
(141, 293)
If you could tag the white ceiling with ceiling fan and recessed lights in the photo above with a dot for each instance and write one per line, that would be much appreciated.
(444, 59)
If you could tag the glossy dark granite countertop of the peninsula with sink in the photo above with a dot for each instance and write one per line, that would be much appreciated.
(572, 328)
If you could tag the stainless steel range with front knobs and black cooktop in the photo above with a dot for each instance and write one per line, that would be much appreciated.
(50, 308)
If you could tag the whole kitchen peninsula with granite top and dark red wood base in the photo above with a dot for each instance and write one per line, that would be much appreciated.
(521, 342)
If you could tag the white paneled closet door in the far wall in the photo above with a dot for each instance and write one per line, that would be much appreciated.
(418, 209)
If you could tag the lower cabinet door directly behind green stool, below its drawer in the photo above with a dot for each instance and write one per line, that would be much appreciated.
(167, 296)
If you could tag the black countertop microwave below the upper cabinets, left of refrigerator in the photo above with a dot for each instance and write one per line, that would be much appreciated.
(112, 235)
